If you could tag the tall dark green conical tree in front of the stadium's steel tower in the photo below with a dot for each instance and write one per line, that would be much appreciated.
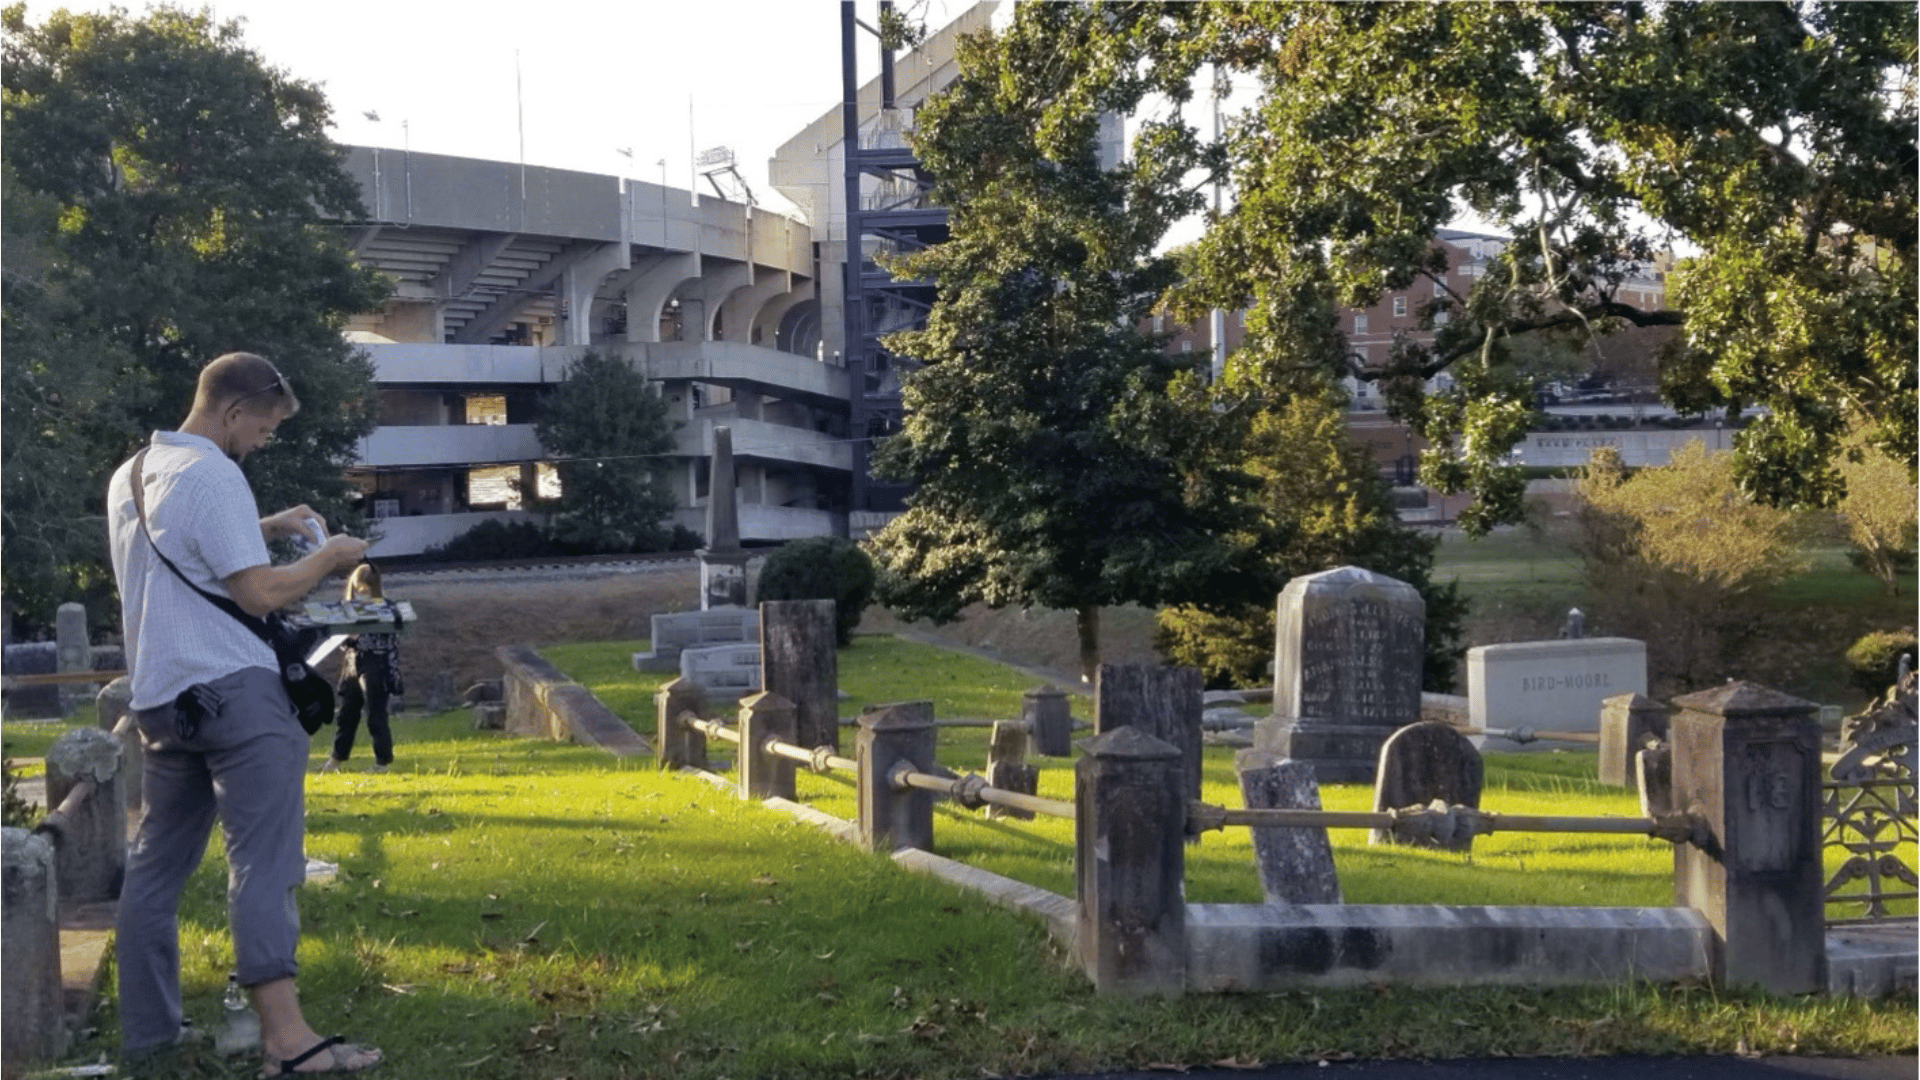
(1057, 451)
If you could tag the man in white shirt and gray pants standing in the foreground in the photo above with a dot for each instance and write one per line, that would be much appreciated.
(220, 733)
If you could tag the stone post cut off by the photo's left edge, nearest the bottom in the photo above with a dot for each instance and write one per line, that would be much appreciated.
(30, 939)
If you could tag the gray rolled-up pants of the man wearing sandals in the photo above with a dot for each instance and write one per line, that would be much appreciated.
(245, 766)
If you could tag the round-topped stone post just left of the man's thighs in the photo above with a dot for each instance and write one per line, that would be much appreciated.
(91, 839)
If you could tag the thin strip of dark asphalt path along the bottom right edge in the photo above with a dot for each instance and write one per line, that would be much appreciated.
(1556, 1069)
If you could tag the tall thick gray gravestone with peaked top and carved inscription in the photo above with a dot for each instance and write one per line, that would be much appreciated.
(1347, 672)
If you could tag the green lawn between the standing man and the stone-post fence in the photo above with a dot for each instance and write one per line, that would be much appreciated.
(512, 908)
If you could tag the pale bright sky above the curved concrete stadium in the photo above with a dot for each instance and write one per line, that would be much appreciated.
(577, 80)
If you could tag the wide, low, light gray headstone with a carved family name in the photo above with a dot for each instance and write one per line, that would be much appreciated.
(1552, 685)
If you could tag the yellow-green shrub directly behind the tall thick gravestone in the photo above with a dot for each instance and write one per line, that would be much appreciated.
(1322, 506)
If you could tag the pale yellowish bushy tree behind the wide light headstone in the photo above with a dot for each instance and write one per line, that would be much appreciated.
(1679, 556)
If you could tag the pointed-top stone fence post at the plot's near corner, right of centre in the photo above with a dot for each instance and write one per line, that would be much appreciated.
(1130, 862)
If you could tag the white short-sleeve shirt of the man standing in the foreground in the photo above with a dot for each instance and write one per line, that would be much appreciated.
(203, 514)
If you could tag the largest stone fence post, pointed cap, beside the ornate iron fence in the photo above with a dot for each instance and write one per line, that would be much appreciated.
(1748, 762)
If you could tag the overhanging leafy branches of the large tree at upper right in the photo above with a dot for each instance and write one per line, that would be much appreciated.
(1773, 145)
